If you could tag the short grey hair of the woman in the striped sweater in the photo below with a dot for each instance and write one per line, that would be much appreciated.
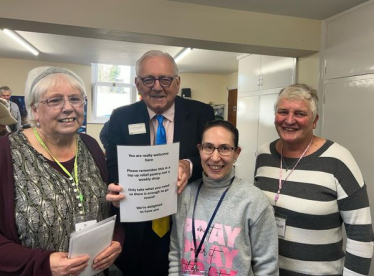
(299, 91)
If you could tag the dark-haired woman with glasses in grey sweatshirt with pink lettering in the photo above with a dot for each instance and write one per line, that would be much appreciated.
(224, 225)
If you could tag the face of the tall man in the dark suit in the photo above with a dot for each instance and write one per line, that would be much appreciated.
(157, 98)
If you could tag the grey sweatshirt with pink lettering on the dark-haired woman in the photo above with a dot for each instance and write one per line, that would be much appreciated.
(242, 239)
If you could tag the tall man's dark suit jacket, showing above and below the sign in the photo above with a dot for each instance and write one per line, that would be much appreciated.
(144, 253)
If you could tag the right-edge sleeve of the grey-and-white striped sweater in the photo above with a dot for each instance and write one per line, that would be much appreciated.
(354, 208)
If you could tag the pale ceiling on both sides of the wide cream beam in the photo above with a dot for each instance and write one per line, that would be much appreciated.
(68, 49)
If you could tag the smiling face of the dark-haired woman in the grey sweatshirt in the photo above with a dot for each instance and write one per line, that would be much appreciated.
(216, 166)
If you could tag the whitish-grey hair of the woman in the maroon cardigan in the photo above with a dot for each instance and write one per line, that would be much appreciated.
(41, 79)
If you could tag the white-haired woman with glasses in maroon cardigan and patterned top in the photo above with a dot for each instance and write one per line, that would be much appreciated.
(52, 179)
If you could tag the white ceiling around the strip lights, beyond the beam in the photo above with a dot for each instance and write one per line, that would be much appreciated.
(69, 49)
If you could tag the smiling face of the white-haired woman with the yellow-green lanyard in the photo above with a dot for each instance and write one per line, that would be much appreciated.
(60, 121)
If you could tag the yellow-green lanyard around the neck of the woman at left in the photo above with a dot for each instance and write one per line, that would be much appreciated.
(74, 181)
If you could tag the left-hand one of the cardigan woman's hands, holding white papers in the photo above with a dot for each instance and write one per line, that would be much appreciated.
(61, 265)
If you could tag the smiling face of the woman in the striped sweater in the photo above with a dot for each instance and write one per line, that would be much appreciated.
(294, 121)
